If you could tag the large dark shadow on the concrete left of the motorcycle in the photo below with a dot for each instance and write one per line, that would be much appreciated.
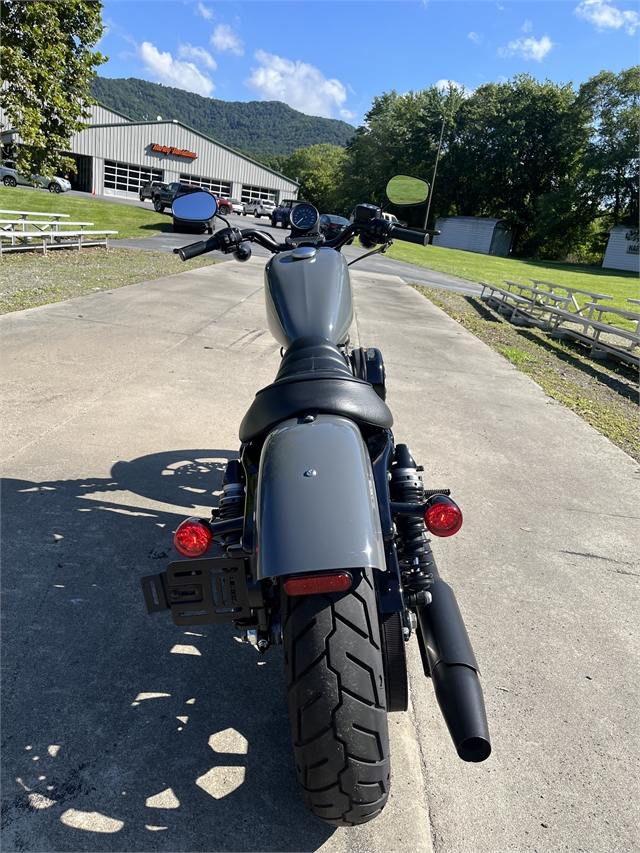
(122, 731)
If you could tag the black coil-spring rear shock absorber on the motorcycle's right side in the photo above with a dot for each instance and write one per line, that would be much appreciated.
(414, 551)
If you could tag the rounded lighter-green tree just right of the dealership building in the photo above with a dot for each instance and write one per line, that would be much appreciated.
(320, 172)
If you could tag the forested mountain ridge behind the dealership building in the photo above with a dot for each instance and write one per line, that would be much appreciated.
(261, 128)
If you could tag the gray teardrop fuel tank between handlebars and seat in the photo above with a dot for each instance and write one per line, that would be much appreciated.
(308, 292)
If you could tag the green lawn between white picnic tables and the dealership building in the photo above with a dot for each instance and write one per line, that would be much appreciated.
(127, 220)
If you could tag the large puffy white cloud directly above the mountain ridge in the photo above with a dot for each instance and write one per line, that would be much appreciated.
(298, 84)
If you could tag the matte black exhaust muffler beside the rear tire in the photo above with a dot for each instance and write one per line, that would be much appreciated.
(448, 659)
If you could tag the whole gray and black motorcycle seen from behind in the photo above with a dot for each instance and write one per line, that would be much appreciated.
(325, 525)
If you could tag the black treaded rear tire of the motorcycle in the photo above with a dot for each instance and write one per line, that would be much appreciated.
(337, 703)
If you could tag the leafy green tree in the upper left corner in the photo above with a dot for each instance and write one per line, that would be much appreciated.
(47, 64)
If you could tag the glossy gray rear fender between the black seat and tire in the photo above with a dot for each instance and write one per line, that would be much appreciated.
(316, 503)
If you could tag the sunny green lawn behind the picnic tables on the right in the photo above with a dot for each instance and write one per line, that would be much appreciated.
(475, 267)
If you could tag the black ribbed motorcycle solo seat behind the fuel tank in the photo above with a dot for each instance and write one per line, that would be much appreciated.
(314, 376)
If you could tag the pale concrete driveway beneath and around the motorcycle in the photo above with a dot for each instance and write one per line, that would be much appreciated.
(123, 732)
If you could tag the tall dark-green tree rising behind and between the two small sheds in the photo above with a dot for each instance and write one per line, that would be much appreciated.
(516, 156)
